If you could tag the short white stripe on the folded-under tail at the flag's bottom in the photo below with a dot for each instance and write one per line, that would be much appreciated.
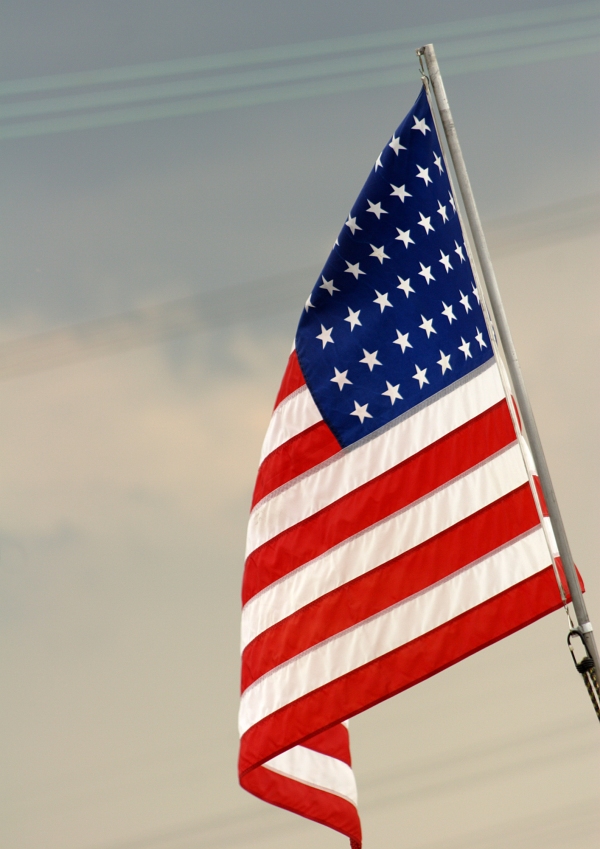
(316, 770)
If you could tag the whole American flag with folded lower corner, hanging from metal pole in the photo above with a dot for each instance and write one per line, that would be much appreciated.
(394, 528)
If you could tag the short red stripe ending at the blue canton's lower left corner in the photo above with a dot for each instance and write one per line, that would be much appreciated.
(296, 456)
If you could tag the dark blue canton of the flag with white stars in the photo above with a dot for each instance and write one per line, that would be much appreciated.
(394, 317)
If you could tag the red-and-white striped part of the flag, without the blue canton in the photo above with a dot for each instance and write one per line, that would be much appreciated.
(369, 570)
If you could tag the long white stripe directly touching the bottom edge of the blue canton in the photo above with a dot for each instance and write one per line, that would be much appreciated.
(352, 468)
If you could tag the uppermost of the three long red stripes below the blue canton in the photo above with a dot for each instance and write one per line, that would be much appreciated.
(420, 474)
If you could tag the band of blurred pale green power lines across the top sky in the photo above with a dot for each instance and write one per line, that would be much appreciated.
(292, 72)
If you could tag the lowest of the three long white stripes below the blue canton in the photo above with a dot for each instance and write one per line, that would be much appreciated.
(394, 627)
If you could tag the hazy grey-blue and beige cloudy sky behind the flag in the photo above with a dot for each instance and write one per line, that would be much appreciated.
(152, 273)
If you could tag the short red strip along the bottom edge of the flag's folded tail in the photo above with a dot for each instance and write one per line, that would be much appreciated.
(317, 805)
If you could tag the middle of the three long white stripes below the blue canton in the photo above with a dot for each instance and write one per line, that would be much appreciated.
(399, 532)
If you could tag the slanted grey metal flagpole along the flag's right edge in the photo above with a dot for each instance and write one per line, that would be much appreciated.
(512, 362)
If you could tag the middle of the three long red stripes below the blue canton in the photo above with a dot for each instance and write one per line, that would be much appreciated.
(409, 573)
